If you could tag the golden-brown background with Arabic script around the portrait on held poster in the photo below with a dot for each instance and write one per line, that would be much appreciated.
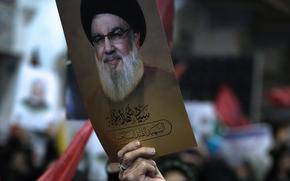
(154, 113)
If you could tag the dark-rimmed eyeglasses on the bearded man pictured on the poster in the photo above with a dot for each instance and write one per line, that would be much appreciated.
(115, 36)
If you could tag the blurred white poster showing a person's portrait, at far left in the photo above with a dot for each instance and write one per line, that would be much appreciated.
(36, 106)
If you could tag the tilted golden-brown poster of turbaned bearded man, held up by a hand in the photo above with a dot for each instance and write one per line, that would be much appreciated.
(125, 74)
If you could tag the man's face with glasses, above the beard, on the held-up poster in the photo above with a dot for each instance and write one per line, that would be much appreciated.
(112, 51)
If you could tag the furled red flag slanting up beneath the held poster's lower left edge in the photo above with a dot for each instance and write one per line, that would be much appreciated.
(64, 168)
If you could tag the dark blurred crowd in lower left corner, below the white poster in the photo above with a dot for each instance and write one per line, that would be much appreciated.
(19, 159)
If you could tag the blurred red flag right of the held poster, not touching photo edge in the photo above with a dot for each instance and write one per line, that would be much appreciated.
(228, 108)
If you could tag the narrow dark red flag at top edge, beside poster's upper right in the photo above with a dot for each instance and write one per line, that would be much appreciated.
(166, 9)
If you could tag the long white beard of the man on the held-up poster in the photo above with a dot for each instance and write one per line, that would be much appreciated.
(118, 84)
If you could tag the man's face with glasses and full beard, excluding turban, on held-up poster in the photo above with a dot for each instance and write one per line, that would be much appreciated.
(116, 53)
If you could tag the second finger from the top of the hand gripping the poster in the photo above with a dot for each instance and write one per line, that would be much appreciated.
(143, 152)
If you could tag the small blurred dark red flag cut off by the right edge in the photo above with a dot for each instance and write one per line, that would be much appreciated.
(280, 96)
